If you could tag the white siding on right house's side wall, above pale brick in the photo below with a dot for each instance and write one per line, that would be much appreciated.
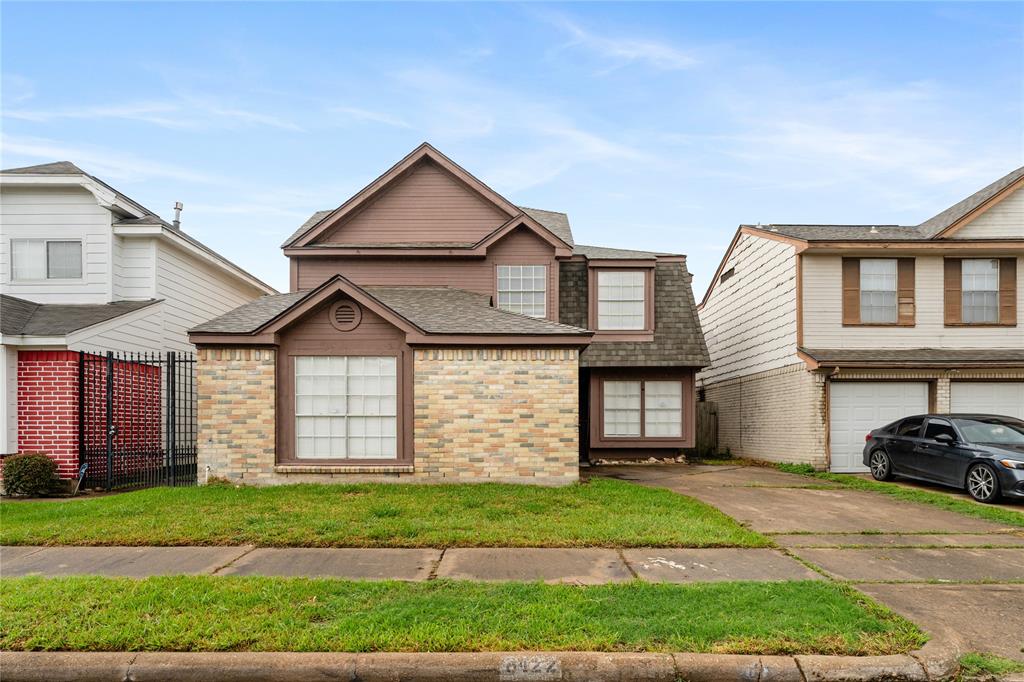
(750, 321)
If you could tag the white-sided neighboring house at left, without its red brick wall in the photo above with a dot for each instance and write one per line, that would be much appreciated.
(83, 268)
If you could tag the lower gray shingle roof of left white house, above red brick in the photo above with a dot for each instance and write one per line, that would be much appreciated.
(22, 318)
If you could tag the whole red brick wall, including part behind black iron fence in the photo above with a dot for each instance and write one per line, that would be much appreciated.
(48, 414)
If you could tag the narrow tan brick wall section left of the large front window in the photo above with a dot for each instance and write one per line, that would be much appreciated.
(236, 413)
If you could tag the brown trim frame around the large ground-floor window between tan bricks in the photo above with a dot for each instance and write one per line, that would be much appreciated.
(286, 409)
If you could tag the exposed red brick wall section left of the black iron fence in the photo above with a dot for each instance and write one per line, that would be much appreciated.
(48, 407)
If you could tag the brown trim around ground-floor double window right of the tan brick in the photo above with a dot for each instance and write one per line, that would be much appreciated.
(600, 376)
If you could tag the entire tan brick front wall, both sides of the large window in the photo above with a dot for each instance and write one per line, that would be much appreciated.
(481, 415)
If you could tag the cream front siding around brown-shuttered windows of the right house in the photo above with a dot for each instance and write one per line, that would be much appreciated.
(824, 314)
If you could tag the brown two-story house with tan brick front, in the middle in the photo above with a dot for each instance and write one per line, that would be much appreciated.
(435, 331)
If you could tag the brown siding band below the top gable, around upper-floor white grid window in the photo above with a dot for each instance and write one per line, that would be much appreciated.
(478, 275)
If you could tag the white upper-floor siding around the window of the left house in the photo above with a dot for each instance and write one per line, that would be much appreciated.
(58, 214)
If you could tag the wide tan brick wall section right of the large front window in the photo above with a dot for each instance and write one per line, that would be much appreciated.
(509, 415)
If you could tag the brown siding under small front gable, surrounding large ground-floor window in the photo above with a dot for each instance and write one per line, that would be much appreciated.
(315, 335)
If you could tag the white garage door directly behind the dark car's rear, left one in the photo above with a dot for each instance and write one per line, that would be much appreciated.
(859, 407)
